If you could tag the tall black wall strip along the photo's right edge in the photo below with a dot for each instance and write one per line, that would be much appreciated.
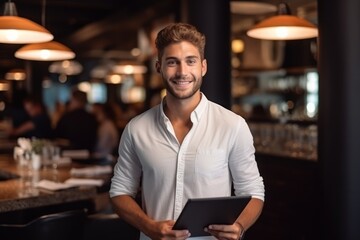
(339, 117)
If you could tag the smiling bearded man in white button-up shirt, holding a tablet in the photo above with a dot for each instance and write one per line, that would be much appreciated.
(186, 147)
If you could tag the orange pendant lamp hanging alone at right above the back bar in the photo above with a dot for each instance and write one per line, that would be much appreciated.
(283, 27)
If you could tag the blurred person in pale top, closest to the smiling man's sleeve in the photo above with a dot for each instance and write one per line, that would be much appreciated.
(108, 133)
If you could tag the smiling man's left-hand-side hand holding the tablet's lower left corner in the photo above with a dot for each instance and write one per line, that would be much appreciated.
(163, 231)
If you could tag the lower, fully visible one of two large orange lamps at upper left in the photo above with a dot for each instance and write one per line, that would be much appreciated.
(48, 51)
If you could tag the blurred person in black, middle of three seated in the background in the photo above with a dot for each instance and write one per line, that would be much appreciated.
(77, 125)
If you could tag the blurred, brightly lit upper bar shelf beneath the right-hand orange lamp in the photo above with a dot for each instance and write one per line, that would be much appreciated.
(291, 92)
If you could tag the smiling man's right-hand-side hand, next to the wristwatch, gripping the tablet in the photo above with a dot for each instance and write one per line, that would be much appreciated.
(225, 232)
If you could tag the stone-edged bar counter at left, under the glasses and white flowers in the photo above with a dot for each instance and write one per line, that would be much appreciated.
(20, 194)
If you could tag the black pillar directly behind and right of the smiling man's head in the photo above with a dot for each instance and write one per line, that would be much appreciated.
(212, 17)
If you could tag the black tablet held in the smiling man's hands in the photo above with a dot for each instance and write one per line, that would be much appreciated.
(199, 213)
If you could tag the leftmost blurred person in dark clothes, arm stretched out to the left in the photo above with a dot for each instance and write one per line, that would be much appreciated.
(39, 123)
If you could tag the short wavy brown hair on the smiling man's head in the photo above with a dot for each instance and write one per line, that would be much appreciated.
(178, 32)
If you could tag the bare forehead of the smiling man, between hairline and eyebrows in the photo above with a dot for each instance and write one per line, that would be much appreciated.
(181, 50)
